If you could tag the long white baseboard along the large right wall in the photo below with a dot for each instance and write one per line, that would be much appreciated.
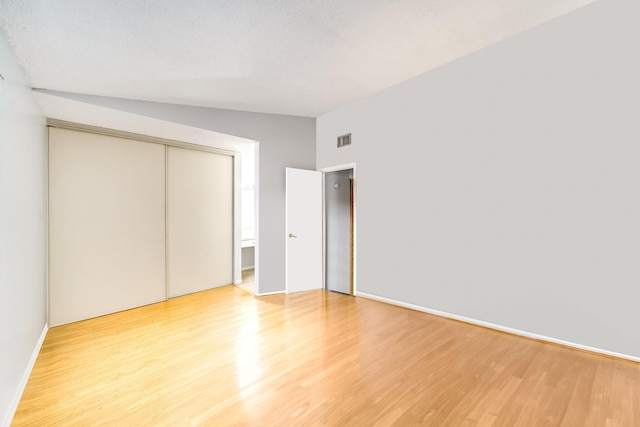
(497, 327)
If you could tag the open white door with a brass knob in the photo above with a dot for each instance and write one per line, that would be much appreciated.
(304, 230)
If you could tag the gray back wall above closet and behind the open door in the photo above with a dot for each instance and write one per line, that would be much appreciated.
(284, 141)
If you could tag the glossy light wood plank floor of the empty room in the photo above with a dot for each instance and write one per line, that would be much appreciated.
(223, 357)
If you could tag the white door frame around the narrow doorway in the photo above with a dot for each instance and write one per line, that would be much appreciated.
(354, 258)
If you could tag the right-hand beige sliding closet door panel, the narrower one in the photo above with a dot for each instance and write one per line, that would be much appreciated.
(199, 220)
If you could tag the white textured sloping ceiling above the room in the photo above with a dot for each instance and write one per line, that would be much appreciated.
(301, 57)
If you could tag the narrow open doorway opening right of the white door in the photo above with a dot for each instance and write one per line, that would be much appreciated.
(339, 197)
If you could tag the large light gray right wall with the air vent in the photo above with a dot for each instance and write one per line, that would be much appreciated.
(511, 178)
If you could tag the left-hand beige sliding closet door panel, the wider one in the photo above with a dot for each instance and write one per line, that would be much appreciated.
(106, 224)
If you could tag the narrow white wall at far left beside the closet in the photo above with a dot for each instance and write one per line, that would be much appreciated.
(23, 308)
